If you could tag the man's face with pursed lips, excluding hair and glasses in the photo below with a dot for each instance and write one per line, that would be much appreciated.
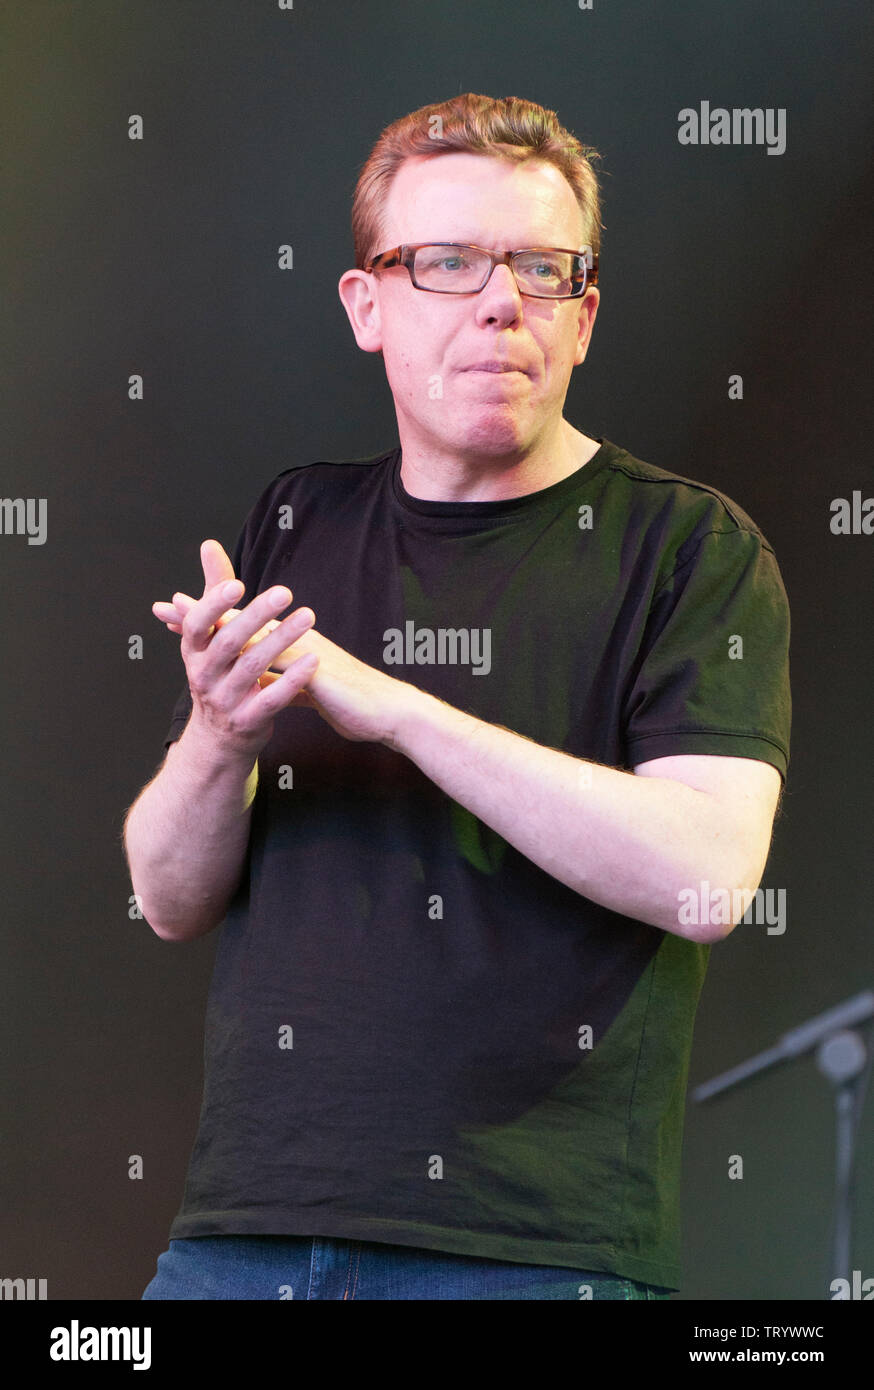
(430, 343)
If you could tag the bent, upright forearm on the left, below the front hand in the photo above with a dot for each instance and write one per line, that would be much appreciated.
(187, 835)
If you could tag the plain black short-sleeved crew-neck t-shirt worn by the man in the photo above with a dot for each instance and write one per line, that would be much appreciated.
(397, 1042)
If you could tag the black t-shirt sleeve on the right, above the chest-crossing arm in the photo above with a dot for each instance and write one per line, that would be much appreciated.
(714, 671)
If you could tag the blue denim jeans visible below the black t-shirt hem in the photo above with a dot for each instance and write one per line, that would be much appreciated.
(320, 1267)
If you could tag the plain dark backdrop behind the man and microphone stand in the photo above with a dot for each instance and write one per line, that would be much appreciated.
(160, 258)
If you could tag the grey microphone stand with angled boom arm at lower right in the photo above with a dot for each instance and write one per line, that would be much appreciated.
(846, 1061)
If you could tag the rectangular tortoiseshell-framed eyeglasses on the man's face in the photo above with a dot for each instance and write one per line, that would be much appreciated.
(455, 269)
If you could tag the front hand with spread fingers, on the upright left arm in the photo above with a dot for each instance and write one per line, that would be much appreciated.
(229, 653)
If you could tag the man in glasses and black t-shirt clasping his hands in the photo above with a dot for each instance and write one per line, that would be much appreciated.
(450, 811)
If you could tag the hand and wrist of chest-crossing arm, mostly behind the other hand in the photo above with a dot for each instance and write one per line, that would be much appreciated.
(359, 701)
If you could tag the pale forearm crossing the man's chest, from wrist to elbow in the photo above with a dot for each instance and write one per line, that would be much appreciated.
(625, 842)
